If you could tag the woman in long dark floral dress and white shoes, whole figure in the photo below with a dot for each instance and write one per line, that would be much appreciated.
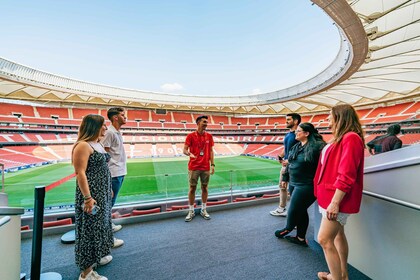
(94, 237)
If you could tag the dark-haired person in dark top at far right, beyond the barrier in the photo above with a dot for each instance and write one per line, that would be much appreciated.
(387, 142)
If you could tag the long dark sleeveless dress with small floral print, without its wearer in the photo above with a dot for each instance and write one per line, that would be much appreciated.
(94, 237)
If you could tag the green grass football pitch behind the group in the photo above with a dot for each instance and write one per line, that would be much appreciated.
(147, 180)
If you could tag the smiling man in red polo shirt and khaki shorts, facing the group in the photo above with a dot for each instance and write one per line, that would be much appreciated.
(199, 148)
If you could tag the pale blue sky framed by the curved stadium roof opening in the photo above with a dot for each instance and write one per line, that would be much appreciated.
(200, 47)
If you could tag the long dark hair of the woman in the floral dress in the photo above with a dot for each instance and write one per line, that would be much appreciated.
(89, 129)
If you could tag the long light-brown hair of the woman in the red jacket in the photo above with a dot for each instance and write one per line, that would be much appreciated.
(345, 119)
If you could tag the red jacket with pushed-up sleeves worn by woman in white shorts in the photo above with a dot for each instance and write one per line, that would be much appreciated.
(343, 170)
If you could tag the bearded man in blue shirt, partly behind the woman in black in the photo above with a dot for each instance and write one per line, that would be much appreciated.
(292, 122)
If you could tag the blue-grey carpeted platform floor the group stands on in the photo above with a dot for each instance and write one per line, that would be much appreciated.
(235, 244)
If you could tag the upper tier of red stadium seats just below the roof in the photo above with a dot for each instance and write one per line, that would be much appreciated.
(23, 114)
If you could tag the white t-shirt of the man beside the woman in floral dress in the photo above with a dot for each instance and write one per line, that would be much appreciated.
(114, 141)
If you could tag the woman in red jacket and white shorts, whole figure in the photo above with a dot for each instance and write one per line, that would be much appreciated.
(338, 186)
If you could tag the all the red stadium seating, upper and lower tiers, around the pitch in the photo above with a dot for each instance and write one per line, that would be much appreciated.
(148, 134)
